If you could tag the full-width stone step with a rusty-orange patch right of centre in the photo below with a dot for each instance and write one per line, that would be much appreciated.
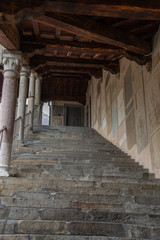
(127, 206)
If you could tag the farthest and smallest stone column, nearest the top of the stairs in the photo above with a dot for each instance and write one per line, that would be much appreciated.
(37, 99)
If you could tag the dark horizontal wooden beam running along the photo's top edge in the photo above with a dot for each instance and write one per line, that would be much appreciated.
(146, 10)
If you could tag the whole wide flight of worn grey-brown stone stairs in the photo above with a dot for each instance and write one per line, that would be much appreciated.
(69, 183)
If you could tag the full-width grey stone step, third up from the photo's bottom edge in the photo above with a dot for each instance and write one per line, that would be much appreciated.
(70, 214)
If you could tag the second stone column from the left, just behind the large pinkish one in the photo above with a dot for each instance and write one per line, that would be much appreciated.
(23, 87)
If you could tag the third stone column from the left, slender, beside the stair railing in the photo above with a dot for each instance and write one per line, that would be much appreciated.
(31, 97)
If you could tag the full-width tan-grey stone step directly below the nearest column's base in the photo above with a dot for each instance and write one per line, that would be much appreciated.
(82, 187)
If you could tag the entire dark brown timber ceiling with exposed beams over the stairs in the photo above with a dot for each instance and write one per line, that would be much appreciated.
(68, 41)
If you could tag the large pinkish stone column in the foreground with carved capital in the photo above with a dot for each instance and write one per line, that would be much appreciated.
(12, 65)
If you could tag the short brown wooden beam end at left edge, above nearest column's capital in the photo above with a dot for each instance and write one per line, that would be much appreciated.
(9, 36)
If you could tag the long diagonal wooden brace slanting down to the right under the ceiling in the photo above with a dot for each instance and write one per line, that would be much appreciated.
(96, 31)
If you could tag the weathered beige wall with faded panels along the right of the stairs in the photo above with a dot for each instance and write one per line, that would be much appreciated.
(126, 109)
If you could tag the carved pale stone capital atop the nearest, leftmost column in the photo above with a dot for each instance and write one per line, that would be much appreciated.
(12, 61)
